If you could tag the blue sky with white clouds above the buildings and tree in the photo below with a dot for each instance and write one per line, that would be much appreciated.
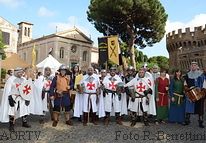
(65, 14)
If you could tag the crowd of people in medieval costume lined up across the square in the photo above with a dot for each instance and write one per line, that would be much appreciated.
(142, 95)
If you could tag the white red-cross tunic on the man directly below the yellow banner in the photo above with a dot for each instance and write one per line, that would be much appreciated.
(112, 103)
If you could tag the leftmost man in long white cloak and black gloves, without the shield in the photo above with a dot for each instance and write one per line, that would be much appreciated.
(13, 100)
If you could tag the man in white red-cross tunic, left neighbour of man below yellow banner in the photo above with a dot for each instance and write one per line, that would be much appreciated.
(91, 92)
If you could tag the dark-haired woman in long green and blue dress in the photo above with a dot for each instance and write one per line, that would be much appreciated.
(177, 102)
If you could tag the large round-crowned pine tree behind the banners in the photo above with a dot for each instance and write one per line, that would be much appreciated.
(137, 22)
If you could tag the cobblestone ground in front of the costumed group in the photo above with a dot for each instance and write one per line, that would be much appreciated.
(99, 134)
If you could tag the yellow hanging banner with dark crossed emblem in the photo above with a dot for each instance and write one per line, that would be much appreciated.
(113, 49)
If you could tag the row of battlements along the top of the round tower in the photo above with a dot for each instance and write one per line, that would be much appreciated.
(187, 32)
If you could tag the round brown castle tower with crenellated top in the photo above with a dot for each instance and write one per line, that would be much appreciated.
(185, 47)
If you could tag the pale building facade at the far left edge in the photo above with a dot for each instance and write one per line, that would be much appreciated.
(9, 34)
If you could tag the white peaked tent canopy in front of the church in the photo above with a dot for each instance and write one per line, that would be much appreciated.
(51, 62)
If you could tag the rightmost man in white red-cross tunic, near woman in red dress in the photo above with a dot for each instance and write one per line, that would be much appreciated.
(139, 101)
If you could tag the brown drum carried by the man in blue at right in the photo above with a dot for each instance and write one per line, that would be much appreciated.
(194, 94)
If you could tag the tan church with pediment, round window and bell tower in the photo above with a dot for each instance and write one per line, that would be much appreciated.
(69, 47)
